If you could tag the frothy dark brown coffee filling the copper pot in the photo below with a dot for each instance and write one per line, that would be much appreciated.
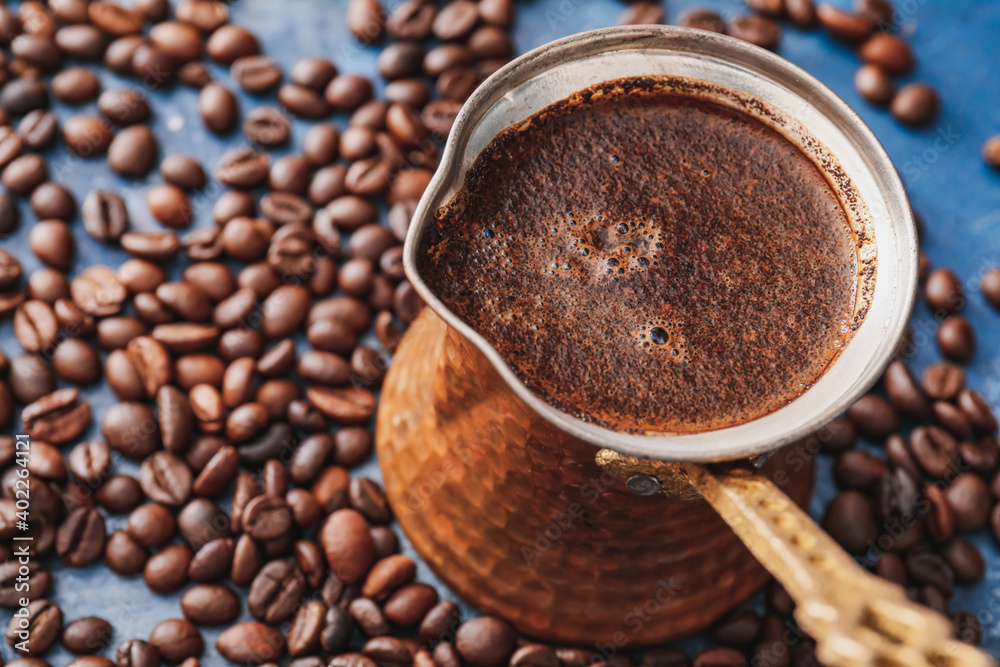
(649, 261)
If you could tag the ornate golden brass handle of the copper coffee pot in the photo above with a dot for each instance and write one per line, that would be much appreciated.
(856, 618)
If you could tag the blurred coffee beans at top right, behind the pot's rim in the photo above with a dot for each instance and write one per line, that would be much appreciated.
(871, 29)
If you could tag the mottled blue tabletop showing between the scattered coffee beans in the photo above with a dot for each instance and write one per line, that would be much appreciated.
(958, 50)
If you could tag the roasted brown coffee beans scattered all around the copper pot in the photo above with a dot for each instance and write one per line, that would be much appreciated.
(199, 335)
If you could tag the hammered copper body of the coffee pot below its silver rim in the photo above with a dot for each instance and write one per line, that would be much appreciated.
(518, 517)
